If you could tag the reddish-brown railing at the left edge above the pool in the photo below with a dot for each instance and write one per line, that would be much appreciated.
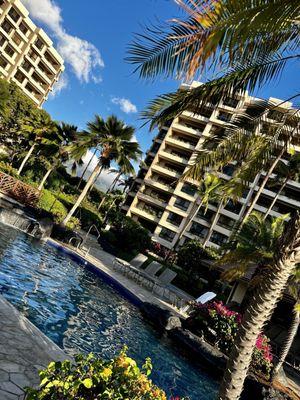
(18, 190)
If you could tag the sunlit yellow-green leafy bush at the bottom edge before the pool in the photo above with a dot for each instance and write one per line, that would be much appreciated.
(90, 378)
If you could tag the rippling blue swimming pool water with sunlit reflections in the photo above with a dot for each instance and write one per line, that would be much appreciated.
(82, 313)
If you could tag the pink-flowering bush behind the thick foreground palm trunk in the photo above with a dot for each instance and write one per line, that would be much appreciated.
(225, 324)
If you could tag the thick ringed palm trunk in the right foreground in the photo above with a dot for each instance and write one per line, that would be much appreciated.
(260, 310)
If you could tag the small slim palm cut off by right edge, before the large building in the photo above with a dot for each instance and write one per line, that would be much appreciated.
(286, 171)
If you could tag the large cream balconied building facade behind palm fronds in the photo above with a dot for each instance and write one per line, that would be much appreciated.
(162, 203)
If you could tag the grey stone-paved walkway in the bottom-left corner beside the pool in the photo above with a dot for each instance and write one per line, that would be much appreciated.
(24, 350)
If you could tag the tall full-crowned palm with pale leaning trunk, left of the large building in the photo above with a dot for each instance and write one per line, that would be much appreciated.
(111, 137)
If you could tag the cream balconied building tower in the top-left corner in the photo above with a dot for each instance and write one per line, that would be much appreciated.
(27, 55)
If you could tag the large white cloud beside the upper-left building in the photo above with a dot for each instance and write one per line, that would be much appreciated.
(83, 57)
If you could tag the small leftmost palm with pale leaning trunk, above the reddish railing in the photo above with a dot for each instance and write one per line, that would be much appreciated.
(34, 129)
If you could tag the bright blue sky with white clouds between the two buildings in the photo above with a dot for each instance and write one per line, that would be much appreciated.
(93, 36)
